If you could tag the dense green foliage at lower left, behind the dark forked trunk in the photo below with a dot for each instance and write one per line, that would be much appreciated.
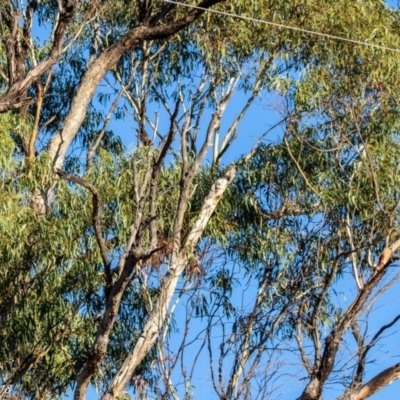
(51, 278)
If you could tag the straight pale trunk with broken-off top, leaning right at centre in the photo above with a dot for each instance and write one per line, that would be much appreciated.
(167, 289)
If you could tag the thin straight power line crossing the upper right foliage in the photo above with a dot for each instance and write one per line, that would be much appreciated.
(283, 26)
